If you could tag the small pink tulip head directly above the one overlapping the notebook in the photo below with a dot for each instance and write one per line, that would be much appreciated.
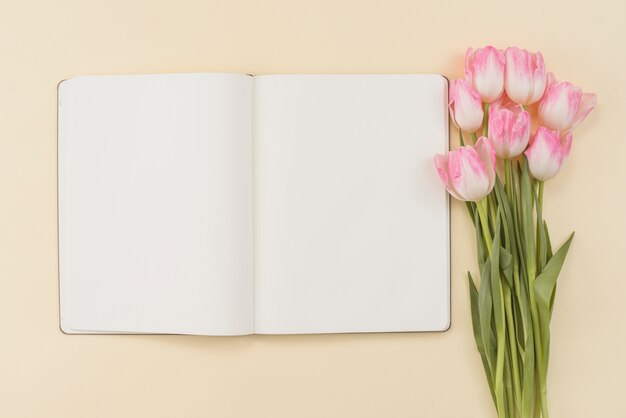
(465, 106)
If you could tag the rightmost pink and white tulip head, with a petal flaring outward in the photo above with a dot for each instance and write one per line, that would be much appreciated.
(564, 106)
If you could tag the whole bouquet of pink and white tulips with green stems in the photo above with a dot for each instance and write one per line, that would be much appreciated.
(500, 176)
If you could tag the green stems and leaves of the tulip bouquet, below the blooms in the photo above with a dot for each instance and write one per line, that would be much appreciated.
(512, 305)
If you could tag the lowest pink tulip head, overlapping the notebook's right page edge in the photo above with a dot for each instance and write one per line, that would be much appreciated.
(468, 173)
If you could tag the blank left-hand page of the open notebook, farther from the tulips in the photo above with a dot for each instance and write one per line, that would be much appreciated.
(155, 204)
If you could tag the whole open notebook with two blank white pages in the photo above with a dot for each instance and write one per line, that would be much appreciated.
(227, 204)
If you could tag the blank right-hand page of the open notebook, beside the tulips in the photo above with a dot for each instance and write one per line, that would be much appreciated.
(351, 221)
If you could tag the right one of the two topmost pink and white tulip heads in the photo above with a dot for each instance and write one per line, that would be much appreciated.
(525, 76)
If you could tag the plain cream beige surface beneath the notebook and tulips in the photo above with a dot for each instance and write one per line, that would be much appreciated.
(44, 373)
